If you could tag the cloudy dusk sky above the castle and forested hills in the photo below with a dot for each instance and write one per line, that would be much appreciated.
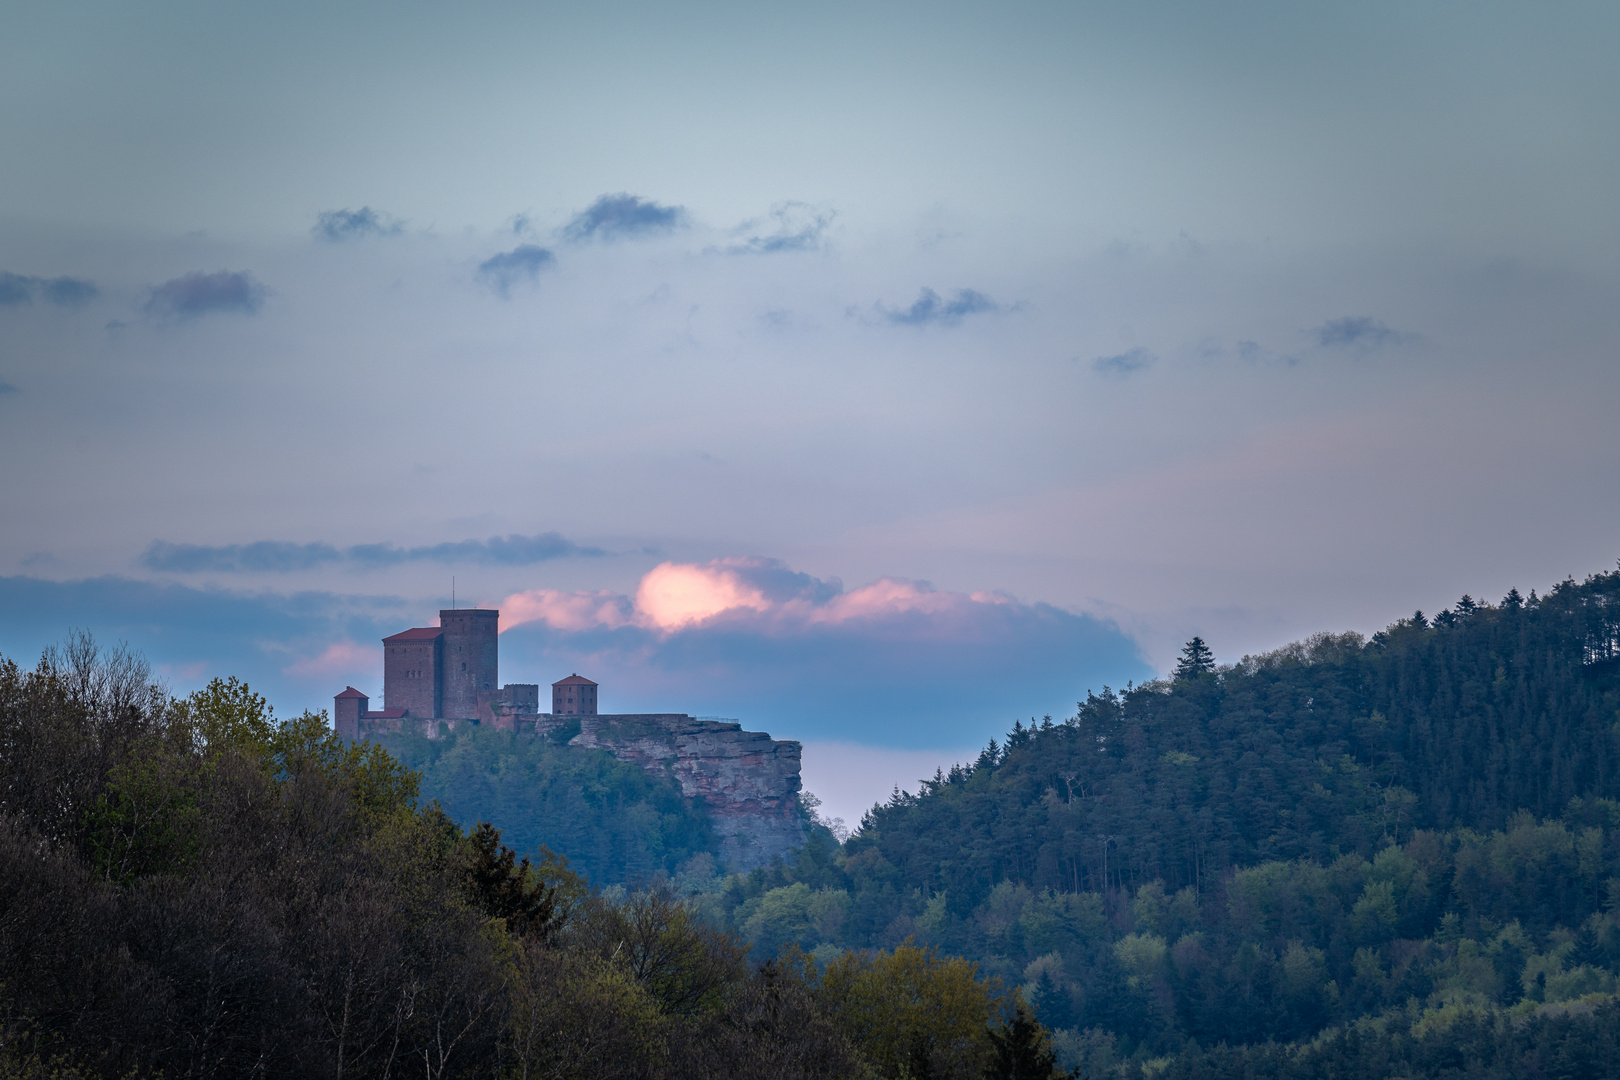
(876, 375)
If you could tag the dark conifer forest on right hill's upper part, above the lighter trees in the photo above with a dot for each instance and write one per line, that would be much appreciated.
(1326, 747)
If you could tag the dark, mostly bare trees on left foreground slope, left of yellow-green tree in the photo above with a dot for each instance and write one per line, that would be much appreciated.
(189, 890)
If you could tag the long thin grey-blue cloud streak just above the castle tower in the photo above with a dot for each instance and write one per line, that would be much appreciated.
(284, 556)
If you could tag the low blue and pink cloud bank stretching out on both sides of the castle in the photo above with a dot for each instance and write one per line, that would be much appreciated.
(893, 663)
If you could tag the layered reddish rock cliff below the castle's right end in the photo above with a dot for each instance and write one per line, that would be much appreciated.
(748, 780)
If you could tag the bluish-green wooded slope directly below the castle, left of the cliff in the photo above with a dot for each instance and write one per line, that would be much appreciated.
(608, 819)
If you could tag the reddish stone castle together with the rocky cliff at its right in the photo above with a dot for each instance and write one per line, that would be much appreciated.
(438, 679)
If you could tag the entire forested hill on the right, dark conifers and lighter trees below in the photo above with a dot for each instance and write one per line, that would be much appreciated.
(1349, 857)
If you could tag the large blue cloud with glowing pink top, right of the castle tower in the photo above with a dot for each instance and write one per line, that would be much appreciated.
(895, 661)
